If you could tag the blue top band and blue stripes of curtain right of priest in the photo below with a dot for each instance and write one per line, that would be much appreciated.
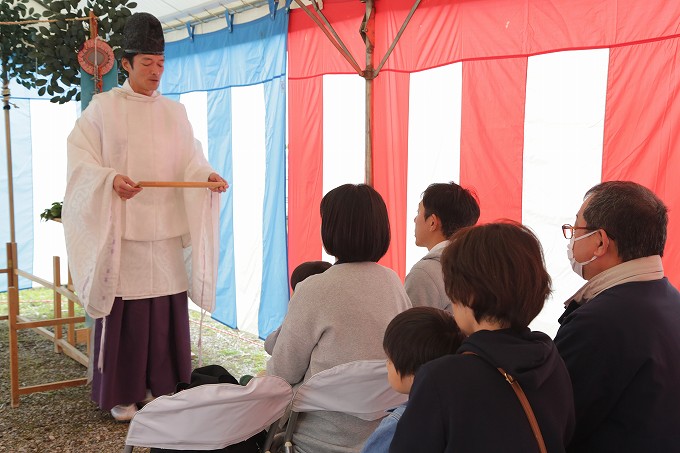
(251, 53)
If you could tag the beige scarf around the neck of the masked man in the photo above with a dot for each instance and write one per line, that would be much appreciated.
(638, 270)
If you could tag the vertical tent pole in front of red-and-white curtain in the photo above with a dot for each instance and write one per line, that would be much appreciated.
(368, 34)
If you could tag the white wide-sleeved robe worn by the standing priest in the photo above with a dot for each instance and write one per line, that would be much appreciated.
(138, 248)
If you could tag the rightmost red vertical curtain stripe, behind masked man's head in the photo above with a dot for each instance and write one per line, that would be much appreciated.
(641, 134)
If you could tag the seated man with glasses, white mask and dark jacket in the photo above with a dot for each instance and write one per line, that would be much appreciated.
(620, 333)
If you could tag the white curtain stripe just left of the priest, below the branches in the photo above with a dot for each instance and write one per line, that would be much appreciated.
(49, 168)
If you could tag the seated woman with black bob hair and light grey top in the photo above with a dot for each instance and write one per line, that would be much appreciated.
(340, 315)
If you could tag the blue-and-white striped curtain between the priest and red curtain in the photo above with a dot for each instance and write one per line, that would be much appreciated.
(243, 72)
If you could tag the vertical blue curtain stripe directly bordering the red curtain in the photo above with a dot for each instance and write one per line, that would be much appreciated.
(274, 299)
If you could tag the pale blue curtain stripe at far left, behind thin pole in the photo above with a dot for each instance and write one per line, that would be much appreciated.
(22, 168)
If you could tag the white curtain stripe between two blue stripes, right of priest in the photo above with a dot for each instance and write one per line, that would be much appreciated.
(248, 145)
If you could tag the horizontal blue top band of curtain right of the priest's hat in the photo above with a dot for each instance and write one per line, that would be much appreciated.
(253, 53)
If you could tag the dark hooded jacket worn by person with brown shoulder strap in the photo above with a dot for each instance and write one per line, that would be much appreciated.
(461, 403)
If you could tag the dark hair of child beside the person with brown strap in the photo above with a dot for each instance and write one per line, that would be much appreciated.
(418, 335)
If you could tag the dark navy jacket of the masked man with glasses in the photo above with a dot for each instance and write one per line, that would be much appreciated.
(622, 349)
